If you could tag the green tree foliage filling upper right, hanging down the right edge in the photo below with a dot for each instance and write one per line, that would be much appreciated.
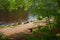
(47, 8)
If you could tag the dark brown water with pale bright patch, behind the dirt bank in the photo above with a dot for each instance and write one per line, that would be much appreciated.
(16, 16)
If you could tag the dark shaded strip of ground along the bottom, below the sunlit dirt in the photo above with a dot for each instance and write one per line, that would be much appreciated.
(35, 36)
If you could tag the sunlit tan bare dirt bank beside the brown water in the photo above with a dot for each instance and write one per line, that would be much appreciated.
(20, 28)
